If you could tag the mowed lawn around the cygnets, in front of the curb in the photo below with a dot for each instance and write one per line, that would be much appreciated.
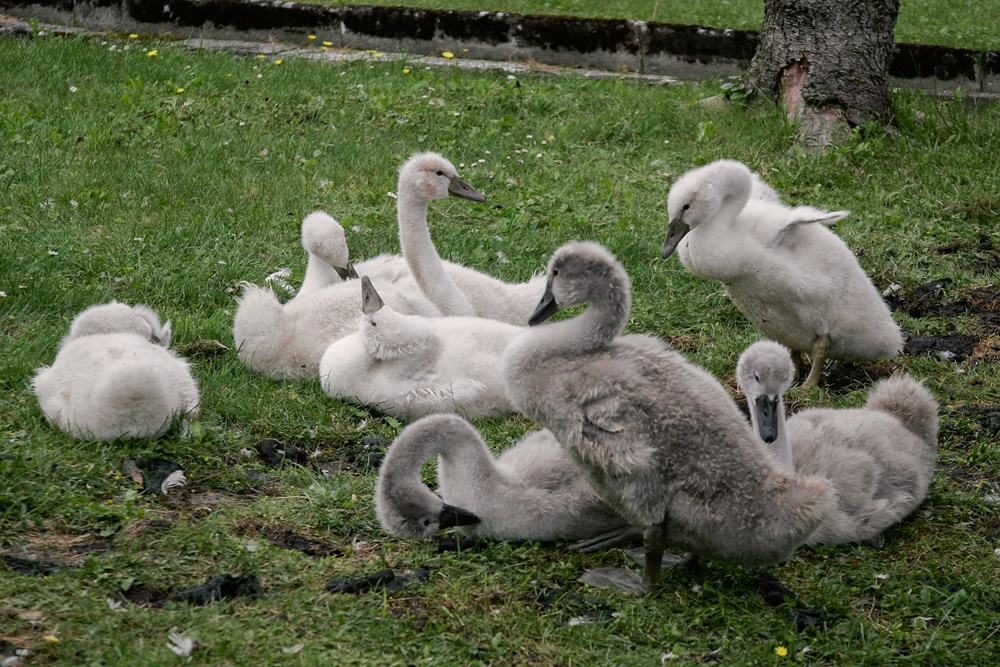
(169, 178)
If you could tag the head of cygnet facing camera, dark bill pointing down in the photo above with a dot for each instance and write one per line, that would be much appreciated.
(765, 372)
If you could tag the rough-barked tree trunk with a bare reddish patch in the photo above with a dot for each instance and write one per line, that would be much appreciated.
(826, 62)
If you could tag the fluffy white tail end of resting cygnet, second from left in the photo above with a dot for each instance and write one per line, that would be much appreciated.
(259, 328)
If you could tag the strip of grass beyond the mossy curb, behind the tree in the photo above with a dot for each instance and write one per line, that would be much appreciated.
(946, 23)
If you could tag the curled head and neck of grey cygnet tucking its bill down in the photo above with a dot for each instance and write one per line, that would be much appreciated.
(406, 508)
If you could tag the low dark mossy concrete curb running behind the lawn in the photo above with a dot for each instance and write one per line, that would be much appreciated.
(690, 52)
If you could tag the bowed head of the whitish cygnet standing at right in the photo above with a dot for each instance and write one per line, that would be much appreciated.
(700, 196)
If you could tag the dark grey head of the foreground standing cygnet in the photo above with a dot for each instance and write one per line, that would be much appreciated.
(583, 272)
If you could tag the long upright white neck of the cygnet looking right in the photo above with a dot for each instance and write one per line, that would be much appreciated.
(422, 257)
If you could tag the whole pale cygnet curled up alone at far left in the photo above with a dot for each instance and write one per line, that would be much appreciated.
(114, 377)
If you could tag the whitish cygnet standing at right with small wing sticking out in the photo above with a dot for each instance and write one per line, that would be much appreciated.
(793, 278)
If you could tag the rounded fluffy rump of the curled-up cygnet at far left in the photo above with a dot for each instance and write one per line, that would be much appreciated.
(132, 400)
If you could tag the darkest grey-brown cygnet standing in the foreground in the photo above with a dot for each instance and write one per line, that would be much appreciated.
(658, 438)
